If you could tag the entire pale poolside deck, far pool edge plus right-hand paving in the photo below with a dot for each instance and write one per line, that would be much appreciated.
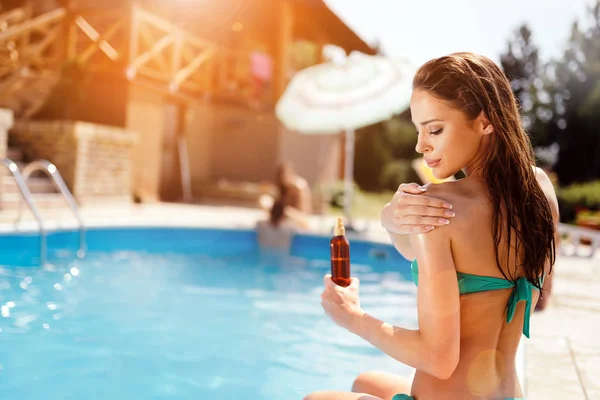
(562, 357)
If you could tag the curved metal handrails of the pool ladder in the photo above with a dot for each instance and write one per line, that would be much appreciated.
(52, 172)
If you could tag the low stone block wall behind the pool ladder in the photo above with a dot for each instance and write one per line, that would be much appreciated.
(95, 161)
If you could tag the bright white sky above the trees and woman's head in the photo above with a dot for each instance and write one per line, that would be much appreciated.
(424, 29)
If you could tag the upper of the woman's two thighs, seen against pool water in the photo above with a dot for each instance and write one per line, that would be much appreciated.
(381, 384)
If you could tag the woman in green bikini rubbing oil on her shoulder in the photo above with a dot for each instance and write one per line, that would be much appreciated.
(480, 276)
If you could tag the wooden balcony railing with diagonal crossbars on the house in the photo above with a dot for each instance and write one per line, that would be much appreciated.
(132, 41)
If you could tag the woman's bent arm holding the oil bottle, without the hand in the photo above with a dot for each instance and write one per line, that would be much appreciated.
(435, 347)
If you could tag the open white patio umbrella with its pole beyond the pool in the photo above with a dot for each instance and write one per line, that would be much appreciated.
(345, 94)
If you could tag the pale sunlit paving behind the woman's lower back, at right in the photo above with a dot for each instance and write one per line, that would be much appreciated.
(563, 354)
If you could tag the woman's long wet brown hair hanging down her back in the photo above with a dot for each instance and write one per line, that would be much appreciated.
(475, 84)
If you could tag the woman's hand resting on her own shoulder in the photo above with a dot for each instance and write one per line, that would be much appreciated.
(410, 211)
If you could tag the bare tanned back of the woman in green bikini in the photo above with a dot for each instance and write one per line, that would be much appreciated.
(488, 344)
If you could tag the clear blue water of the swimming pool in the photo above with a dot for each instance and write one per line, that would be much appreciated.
(159, 313)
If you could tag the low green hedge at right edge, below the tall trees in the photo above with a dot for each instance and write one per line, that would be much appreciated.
(577, 197)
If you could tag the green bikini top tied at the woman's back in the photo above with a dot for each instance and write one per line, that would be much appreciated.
(468, 283)
